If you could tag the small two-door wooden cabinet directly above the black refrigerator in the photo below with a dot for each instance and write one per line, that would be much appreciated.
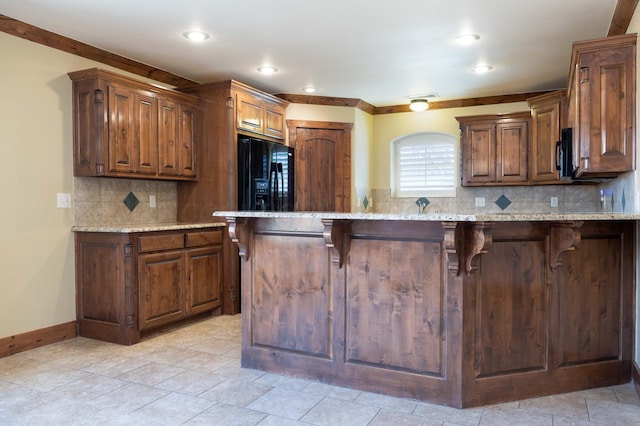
(256, 114)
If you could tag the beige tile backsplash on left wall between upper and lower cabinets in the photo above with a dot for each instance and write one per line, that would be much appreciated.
(101, 201)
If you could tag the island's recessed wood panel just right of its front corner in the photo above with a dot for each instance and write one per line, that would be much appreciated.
(511, 310)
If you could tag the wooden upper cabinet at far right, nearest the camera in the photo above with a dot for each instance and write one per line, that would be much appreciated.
(602, 95)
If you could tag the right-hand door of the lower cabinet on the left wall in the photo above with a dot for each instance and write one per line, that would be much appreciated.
(204, 278)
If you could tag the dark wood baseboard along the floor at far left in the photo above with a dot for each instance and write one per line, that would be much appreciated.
(37, 338)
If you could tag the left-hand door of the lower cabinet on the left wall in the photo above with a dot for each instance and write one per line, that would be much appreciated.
(161, 281)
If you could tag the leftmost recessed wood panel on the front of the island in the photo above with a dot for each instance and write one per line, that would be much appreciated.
(291, 294)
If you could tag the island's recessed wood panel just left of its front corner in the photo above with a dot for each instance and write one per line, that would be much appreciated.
(395, 292)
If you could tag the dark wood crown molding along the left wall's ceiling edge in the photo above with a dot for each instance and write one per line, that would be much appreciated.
(56, 41)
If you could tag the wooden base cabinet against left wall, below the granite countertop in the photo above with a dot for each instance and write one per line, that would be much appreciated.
(129, 283)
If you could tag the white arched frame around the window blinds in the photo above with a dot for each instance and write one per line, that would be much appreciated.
(425, 138)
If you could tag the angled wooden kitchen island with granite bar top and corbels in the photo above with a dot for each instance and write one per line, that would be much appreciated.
(460, 310)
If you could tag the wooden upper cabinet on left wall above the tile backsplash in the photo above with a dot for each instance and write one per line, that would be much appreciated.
(126, 128)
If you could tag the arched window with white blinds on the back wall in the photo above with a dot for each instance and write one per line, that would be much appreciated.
(423, 164)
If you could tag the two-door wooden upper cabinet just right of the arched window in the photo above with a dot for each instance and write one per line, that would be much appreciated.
(495, 149)
